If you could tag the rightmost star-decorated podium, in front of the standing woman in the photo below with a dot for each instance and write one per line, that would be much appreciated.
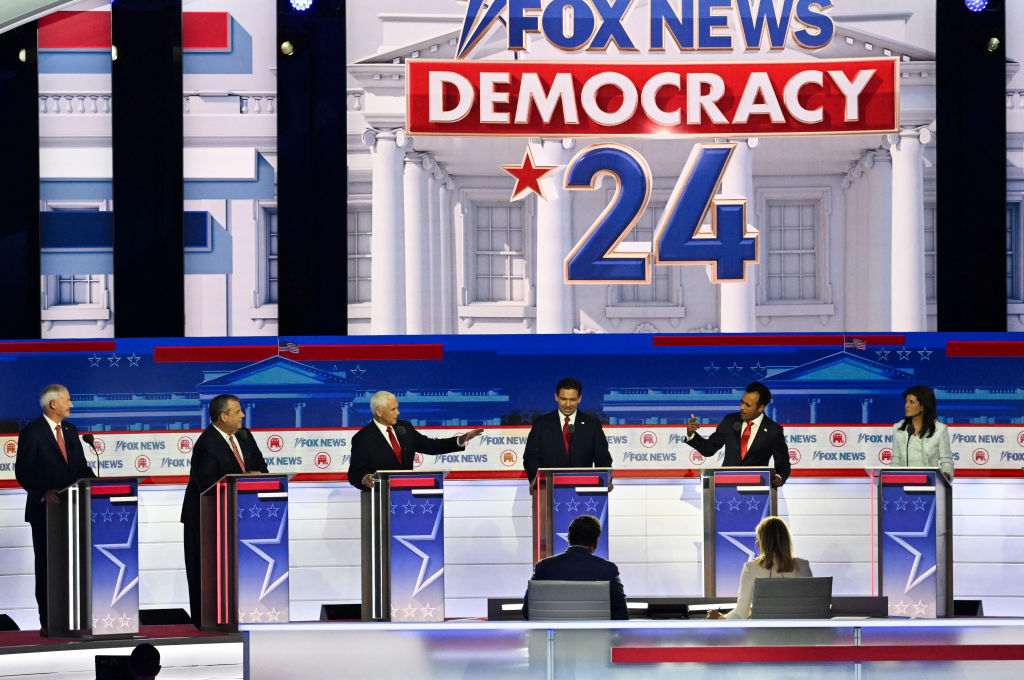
(916, 554)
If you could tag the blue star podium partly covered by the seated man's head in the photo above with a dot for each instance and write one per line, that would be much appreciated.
(562, 495)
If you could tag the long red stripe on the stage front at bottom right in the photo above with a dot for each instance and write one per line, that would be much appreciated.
(819, 654)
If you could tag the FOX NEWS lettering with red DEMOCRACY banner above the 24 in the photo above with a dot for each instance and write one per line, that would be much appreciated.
(616, 99)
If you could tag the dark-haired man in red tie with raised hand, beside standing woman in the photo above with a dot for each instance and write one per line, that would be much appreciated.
(750, 438)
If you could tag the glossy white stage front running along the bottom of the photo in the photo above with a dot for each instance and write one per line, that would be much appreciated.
(831, 649)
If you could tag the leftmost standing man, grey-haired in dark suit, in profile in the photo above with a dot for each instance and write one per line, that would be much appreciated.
(50, 458)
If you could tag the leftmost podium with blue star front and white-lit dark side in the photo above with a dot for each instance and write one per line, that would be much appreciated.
(93, 566)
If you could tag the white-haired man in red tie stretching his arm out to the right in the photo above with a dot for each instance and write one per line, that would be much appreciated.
(390, 444)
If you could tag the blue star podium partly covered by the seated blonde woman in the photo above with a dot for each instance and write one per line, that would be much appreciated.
(736, 500)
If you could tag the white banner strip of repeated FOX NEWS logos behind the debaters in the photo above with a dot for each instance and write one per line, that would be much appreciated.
(501, 449)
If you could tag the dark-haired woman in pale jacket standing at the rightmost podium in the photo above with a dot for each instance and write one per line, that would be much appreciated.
(920, 441)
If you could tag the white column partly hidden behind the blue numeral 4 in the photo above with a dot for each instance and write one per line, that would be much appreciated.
(737, 301)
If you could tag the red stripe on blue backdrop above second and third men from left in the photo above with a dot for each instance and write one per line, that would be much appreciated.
(250, 354)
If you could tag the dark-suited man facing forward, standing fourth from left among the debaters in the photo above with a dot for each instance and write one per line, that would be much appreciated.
(567, 438)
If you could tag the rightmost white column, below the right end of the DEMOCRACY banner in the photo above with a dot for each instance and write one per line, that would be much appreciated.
(908, 293)
